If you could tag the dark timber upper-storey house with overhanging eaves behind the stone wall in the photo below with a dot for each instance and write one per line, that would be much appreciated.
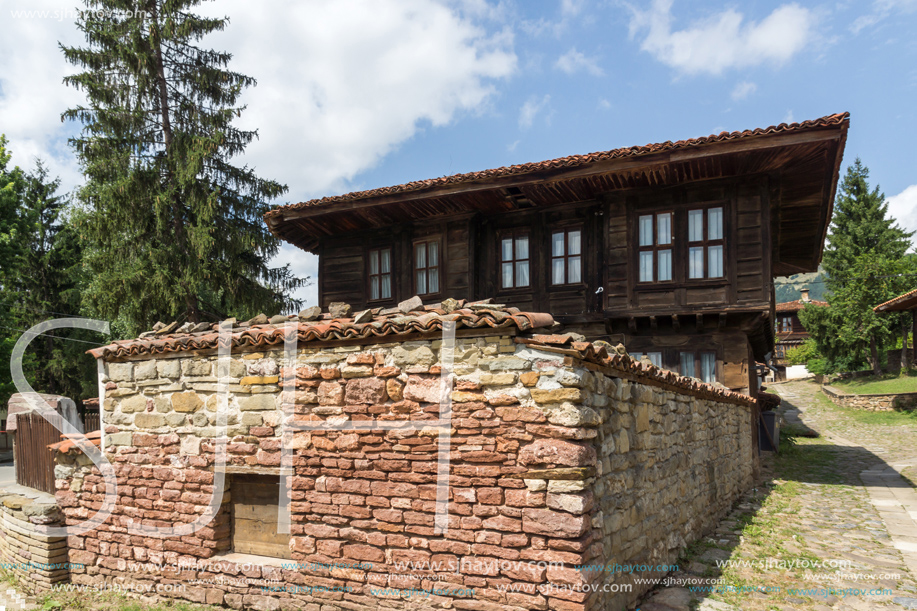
(670, 248)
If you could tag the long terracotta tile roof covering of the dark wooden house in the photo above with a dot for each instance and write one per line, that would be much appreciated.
(573, 161)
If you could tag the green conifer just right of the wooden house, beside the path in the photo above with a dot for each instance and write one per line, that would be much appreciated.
(866, 265)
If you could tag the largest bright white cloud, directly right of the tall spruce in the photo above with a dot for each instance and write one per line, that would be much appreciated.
(343, 83)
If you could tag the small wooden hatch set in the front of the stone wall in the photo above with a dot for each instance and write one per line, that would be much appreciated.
(255, 501)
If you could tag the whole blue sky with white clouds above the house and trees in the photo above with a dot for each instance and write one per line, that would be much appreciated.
(358, 94)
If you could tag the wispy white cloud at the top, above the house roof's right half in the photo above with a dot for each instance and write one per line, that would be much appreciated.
(722, 41)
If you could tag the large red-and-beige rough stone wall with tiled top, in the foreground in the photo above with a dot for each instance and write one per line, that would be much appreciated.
(561, 455)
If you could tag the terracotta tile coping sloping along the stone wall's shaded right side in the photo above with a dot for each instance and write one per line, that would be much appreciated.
(599, 354)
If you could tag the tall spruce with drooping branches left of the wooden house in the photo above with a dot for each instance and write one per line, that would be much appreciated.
(175, 229)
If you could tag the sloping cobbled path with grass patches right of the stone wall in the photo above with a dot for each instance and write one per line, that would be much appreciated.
(831, 527)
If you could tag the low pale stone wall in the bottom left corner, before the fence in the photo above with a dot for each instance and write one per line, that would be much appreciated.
(37, 560)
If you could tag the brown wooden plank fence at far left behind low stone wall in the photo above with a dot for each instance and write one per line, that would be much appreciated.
(34, 461)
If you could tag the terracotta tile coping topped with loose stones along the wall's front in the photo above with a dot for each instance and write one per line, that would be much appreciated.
(389, 324)
